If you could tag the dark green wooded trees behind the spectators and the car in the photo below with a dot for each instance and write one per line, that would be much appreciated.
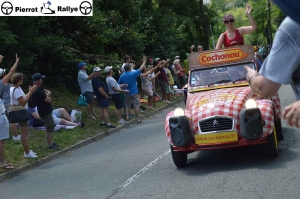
(54, 46)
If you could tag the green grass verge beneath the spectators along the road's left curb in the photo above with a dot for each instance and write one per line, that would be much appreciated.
(37, 141)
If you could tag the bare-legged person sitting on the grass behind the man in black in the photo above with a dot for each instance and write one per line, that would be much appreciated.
(60, 116)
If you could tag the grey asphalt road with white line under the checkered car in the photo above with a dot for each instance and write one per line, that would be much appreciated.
(136, 163)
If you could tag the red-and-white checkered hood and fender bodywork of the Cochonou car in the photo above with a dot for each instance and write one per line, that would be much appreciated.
(226, 102)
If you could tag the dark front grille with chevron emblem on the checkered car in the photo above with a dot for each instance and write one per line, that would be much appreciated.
(216, 124)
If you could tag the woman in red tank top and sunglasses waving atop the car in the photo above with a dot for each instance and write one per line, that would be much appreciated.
(234, 36)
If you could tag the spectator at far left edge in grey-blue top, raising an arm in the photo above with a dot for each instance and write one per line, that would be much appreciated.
(5, 92)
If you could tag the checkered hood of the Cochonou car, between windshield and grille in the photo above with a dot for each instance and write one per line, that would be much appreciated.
(226, 101)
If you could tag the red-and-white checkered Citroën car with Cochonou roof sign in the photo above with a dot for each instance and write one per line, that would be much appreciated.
(221, 110)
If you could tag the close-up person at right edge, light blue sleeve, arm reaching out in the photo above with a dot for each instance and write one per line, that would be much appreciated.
(272, 73)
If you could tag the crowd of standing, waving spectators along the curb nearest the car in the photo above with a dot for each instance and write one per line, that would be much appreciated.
(126, 85)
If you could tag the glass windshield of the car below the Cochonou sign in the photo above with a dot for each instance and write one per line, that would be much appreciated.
(216, 75)
